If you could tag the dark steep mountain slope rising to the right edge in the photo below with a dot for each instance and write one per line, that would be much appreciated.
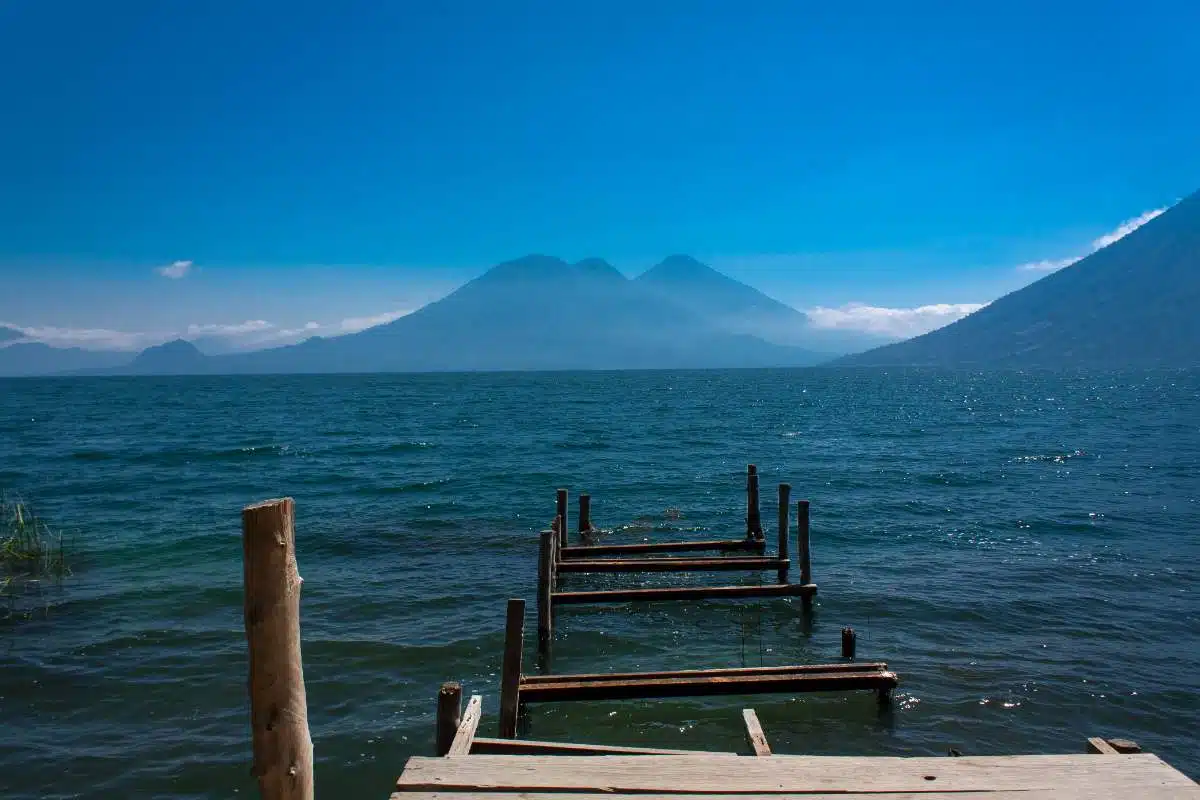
(1131, 304)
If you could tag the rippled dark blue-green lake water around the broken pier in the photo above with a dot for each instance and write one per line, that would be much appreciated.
(1022, 549)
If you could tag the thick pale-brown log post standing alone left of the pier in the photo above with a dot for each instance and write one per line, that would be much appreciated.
(279, 712)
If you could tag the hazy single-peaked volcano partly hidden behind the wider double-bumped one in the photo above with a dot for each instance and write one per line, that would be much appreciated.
(742, 309)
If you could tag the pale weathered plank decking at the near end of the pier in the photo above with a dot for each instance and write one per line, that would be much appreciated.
(1081, 777)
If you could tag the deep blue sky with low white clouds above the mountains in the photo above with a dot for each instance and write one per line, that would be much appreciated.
(323, 166)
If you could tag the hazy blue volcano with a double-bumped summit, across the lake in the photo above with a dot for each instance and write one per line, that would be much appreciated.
(533, 314)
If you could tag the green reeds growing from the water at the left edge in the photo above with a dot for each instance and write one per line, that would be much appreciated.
(31, 552)
